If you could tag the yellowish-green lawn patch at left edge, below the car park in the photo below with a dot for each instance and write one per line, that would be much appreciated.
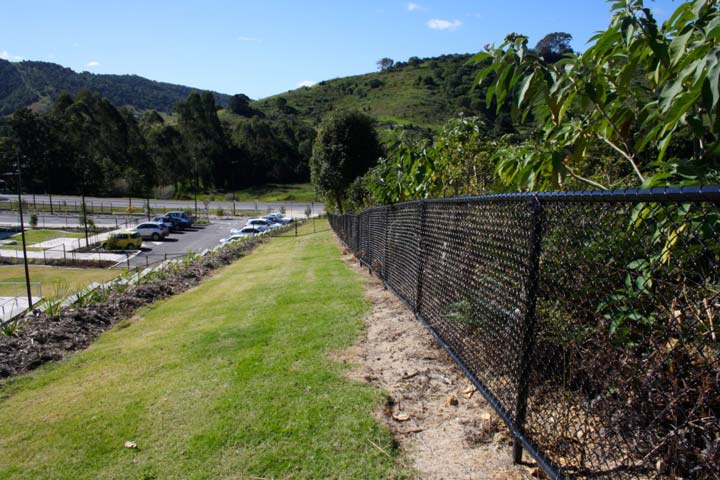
(51, 278)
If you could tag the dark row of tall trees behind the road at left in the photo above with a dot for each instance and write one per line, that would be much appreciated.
(85, 145)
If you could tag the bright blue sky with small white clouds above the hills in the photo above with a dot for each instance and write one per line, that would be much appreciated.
(262, 48)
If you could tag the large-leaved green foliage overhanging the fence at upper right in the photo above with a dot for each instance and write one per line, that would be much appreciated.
(636, 87)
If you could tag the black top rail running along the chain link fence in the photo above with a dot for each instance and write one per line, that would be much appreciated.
(704, 193)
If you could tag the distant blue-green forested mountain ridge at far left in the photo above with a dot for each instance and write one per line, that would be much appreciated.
(31, 83)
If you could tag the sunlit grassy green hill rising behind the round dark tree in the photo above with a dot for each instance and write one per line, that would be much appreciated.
(421, 92)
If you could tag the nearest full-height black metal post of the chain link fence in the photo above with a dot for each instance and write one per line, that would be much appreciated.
(528, 342)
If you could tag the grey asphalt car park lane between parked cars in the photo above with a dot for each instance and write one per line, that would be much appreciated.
(177, 244)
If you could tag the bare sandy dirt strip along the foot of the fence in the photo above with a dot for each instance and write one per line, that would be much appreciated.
(447, 430)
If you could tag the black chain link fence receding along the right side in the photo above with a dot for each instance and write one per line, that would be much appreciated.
(588, 320)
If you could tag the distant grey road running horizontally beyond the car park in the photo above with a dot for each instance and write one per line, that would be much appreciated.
(296, 209)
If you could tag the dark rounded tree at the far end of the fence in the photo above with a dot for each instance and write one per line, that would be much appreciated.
(345, 148)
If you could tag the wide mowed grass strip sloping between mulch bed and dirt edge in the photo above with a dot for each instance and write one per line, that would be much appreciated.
(229, 380)
